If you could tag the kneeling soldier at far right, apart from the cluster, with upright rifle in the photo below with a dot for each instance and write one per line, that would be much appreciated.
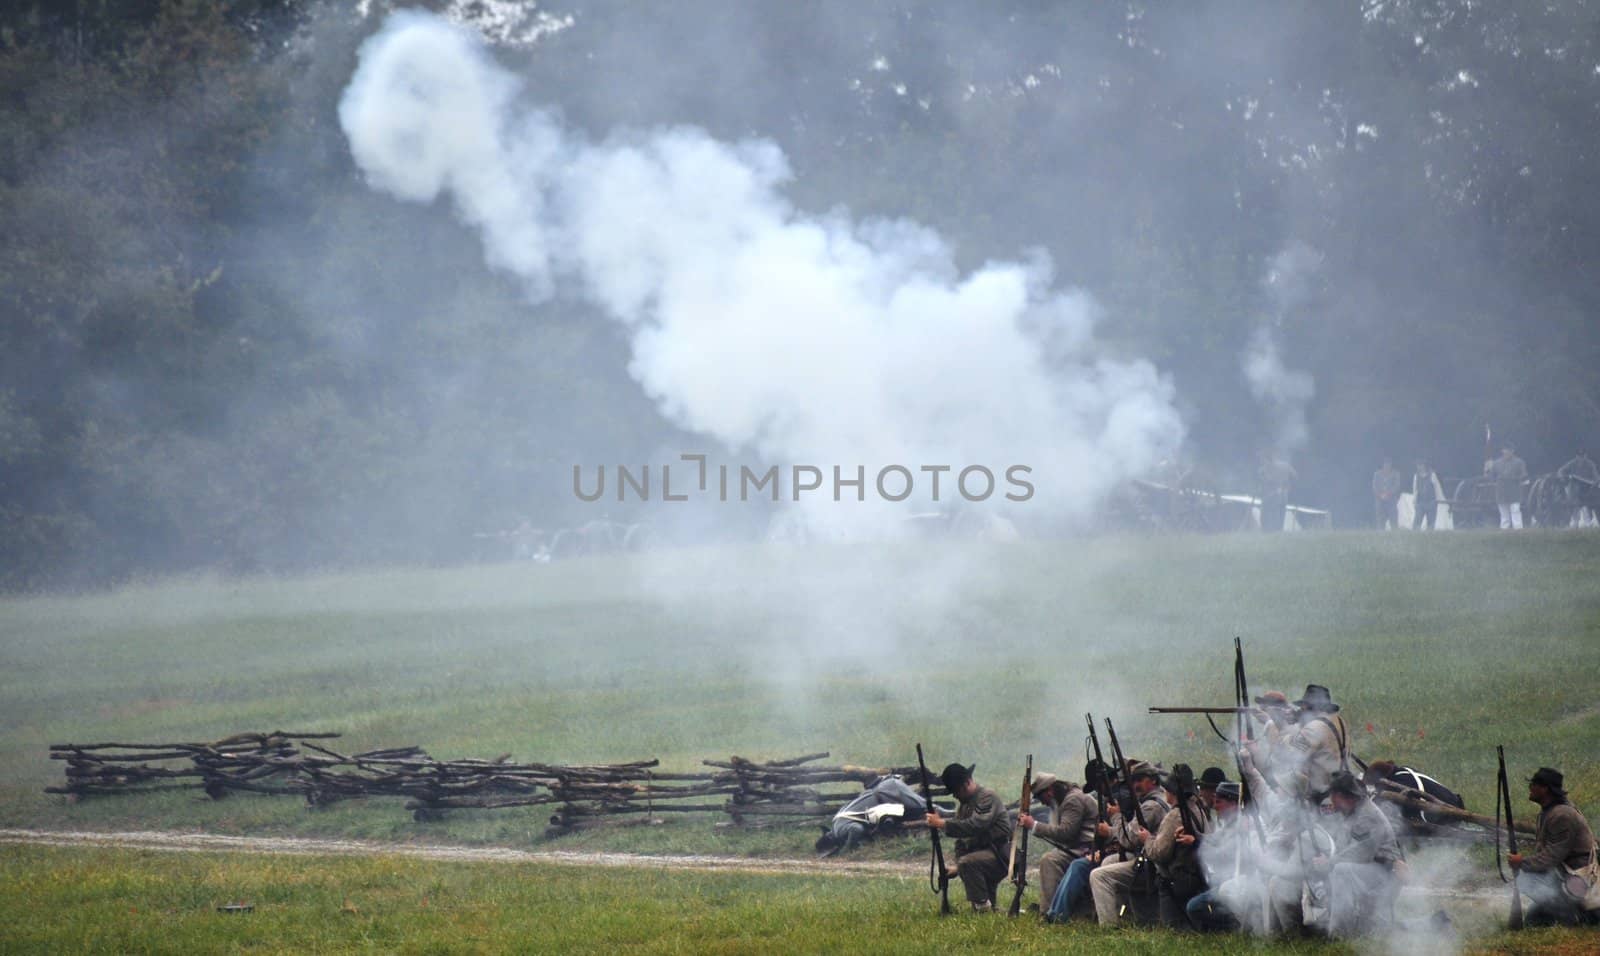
(1562, 867)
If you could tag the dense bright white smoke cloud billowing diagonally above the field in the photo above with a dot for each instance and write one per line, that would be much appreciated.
(794, 338)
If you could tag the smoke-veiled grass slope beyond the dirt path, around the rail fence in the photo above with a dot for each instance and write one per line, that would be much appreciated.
(1438, 647)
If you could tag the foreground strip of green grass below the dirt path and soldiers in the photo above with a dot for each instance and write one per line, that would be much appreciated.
(137, 902)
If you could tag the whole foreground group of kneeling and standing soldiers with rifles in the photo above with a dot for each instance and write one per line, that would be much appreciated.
(1294, 845)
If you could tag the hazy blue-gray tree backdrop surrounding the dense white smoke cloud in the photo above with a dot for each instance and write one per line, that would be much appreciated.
(1340, 231)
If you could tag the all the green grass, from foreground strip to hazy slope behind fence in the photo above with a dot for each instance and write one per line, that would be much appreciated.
(1447, 645)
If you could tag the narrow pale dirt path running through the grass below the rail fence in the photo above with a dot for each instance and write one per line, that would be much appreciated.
(150, 840)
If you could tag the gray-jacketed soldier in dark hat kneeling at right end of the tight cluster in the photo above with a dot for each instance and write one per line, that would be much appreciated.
(1366, 866)
